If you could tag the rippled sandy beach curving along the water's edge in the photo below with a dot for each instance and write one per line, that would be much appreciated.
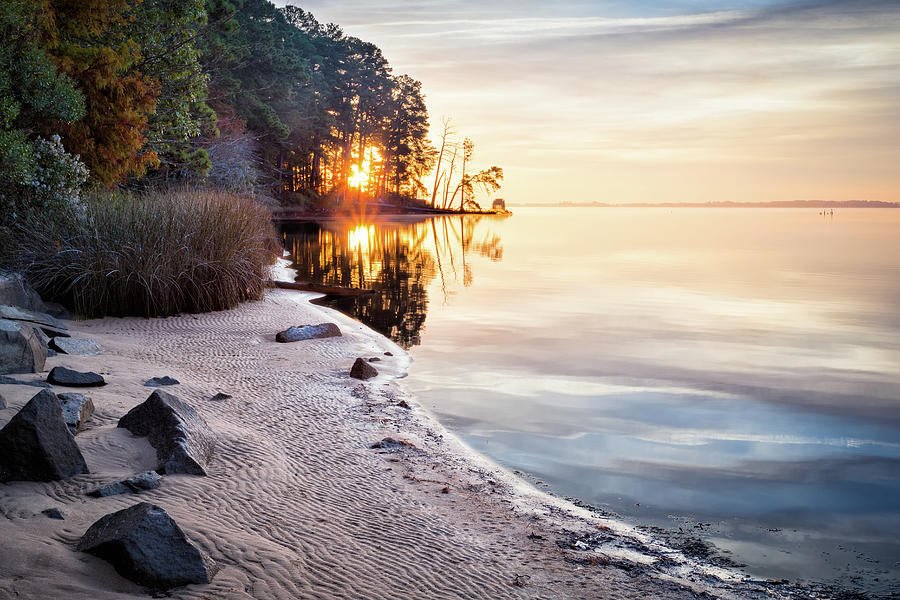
(297, 503)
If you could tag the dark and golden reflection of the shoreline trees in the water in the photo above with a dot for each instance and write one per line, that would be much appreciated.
(397, 259)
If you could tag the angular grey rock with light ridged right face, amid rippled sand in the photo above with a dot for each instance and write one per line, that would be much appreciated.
(184, 442)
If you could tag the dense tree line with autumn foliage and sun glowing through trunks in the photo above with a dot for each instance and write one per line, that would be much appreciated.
(236, 93)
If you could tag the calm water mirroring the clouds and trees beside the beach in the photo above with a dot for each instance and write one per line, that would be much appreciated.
(735, 372)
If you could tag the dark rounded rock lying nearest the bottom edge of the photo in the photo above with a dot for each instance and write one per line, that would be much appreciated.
(146, 546)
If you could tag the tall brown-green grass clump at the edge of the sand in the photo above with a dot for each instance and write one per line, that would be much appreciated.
(153, 254)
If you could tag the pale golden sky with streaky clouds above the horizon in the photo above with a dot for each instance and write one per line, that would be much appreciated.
(682, 101)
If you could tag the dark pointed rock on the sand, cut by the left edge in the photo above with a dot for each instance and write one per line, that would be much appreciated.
(36, 444)
